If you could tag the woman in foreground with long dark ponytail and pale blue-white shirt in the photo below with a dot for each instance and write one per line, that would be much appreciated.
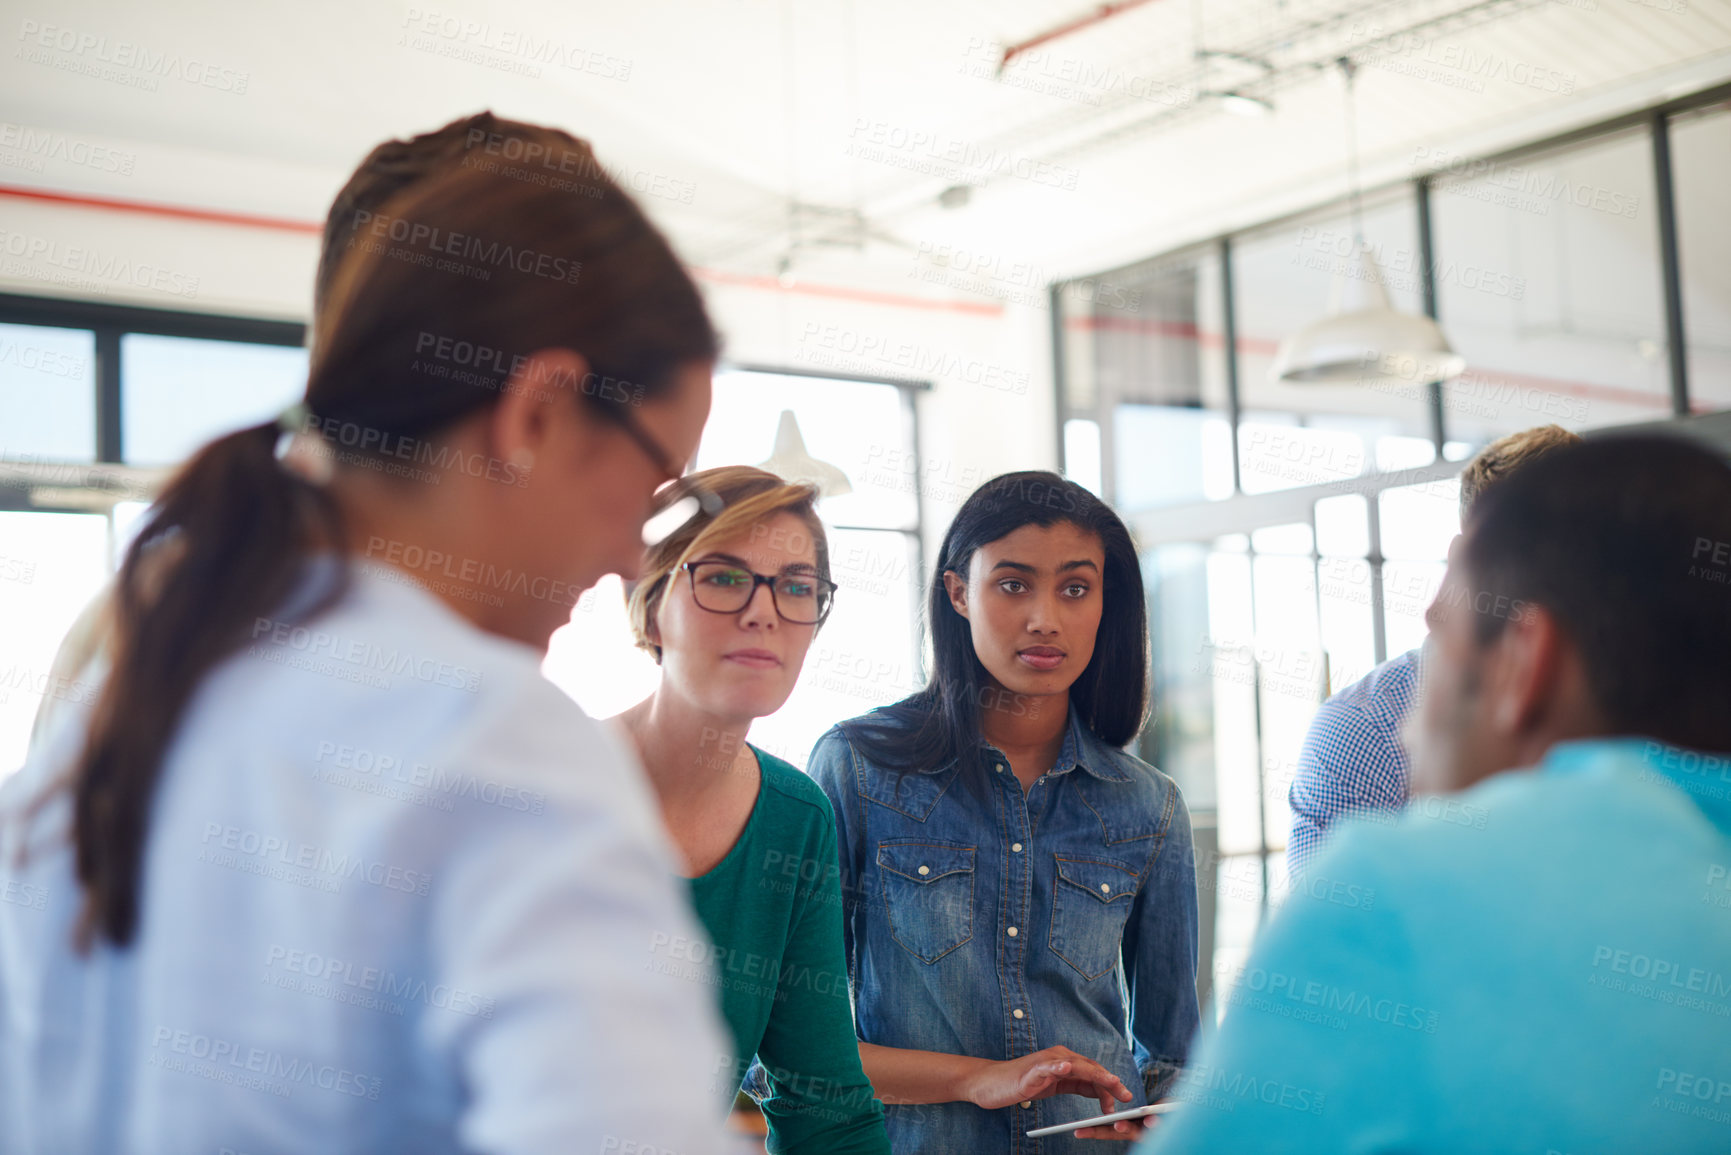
(330, 865)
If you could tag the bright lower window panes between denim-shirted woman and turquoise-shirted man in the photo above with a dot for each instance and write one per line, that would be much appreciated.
(1251, 635)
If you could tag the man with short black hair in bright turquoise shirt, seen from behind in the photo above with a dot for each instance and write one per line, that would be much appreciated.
(1541, 958)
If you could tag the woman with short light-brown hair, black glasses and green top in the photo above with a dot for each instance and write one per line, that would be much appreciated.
(728, 607)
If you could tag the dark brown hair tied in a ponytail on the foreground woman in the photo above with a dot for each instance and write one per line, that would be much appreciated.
(541, 268)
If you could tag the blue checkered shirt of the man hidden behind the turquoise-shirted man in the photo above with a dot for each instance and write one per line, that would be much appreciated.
(1353, 759)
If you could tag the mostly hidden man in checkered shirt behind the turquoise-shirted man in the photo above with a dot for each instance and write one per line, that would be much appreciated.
(1353, 759)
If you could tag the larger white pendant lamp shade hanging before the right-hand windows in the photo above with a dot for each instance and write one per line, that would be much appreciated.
(1370, 345)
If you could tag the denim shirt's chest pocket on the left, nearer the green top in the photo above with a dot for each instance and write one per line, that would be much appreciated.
(927, 894)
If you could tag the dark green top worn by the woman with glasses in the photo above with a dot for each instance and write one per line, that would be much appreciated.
(773, 908)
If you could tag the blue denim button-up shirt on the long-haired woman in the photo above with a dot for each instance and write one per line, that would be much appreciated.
(993, 922)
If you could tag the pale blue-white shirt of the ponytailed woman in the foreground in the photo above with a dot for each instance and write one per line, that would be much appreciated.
(399, 894)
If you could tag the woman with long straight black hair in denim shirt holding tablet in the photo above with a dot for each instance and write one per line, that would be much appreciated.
(1019, 889)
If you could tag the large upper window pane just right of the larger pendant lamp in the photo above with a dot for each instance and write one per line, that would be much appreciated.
(1548, 283)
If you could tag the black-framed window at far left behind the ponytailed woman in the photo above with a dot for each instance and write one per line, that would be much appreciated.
(75, 380)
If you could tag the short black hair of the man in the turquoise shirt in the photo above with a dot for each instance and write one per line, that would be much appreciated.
(1628, 543)
